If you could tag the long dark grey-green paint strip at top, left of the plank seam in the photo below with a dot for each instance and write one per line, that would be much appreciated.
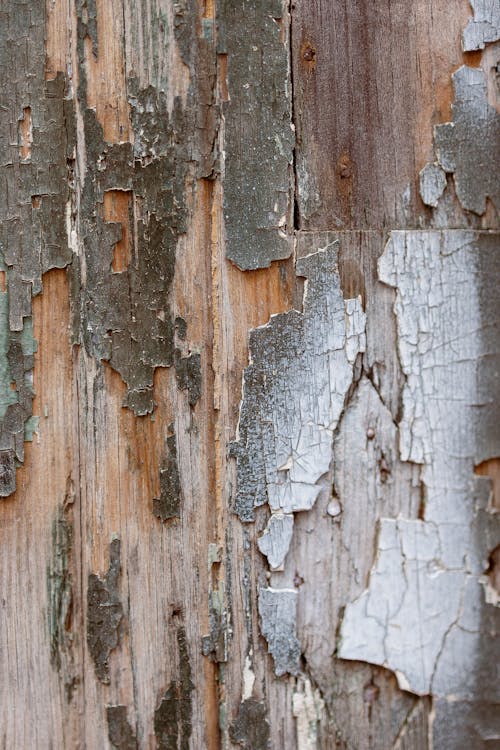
(258, 134)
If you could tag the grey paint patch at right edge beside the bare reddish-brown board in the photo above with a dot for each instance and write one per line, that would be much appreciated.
(468, 146)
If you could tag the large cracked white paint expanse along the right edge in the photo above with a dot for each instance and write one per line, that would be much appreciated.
(424, 613)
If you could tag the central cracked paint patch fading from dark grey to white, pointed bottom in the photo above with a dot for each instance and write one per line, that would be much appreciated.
(301, 368)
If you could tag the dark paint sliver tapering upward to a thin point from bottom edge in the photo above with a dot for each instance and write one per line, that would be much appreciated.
(172, 718)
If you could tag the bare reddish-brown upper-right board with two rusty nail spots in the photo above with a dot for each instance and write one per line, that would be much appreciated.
(370, 81)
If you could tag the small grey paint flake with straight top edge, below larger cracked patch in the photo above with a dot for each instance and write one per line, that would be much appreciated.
(278, 615)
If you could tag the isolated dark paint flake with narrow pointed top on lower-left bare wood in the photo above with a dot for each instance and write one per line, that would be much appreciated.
(104, 613)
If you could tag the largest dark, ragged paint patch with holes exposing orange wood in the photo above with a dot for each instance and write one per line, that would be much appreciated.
(125, 317)
